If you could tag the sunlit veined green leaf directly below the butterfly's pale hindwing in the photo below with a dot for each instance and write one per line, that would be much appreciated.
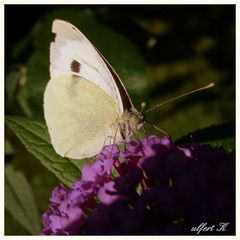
(34, 136)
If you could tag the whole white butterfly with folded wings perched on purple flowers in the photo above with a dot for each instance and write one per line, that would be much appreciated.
(86, 106)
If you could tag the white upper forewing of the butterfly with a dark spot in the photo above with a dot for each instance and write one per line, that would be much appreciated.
(72, 52)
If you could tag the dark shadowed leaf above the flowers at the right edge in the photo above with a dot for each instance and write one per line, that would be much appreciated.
(221, 135)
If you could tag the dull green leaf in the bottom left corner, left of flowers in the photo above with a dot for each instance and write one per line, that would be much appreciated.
(19, 200)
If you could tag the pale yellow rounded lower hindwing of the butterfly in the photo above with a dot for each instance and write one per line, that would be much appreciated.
(80, 116)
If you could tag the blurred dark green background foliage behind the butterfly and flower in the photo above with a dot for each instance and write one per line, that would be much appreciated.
(159, 52)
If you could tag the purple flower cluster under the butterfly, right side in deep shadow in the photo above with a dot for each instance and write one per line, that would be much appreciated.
(153, 187)
